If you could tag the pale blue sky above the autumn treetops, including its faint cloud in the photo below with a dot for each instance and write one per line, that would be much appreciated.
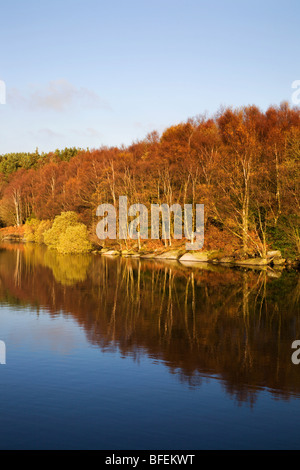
(88, 73)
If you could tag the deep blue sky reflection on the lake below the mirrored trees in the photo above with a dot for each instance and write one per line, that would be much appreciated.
(76, 396)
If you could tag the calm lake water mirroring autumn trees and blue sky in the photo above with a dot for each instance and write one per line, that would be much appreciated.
(126, 354)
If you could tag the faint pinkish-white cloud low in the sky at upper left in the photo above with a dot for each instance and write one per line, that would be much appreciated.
(57, 95)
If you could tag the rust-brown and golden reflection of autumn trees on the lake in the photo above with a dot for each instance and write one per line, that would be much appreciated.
(200, 321)
